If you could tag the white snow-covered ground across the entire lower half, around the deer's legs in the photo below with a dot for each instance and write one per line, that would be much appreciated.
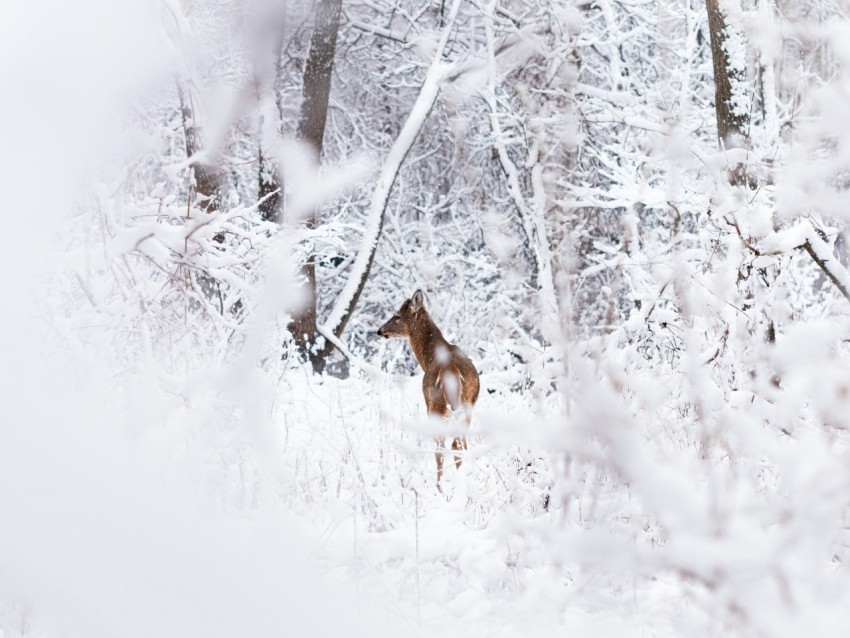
(260, 500)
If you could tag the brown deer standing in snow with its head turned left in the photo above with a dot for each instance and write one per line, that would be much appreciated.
(451, 380)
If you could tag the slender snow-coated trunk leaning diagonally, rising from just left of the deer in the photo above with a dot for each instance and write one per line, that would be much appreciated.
(438, 70)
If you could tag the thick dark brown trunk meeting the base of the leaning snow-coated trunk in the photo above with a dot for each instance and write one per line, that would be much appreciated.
(311, 131)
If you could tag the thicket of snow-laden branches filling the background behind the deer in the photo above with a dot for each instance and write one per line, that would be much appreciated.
(565, 149)
